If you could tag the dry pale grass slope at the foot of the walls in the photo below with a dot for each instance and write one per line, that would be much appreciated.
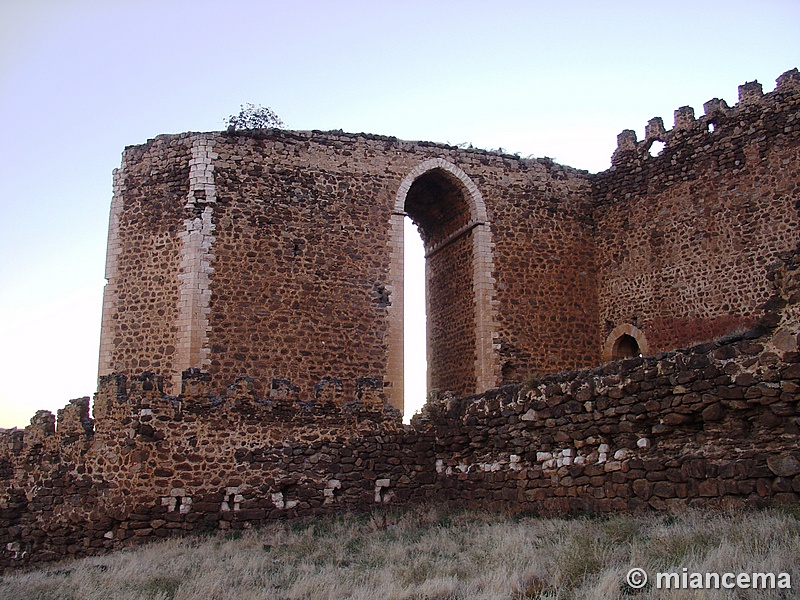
(435, 554)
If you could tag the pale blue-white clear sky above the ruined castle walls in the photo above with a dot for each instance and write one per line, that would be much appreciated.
(82, 79)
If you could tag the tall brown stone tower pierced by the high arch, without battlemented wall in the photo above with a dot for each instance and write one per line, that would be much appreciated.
(273, 253)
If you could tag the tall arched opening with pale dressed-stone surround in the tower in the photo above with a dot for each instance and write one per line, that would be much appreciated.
(449, 212)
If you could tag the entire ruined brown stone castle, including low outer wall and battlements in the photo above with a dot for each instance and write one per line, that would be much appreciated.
(251, 352)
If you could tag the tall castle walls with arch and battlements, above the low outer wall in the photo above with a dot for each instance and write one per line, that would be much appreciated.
(278, 254)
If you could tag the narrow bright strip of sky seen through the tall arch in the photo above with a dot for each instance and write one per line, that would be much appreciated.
(415, 350)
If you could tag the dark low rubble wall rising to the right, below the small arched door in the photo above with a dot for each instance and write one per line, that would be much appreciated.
(714, 425)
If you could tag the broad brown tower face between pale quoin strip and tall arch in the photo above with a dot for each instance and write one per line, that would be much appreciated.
(298, 293)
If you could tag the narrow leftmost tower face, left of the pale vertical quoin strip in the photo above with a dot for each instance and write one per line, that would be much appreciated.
(141, 303)
